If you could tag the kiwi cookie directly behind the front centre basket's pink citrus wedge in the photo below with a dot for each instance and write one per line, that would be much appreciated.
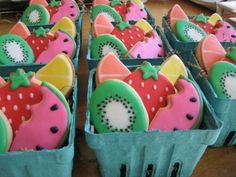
(105, 43)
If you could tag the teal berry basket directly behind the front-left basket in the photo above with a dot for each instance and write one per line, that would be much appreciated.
(34, 66)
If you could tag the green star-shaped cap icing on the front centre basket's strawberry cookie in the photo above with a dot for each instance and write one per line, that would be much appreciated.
(150, 71)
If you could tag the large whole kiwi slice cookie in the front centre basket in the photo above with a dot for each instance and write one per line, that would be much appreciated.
(116, 107)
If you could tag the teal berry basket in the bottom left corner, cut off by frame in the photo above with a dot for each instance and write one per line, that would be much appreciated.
(45, 163)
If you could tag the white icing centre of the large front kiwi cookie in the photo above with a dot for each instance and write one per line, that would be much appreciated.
(117, 115)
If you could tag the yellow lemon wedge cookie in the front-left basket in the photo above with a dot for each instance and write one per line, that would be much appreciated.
(62, 77)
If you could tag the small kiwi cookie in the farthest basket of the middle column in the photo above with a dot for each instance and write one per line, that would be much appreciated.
(109, 11)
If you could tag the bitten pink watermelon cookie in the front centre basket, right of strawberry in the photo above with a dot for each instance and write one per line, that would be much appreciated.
(184, 109)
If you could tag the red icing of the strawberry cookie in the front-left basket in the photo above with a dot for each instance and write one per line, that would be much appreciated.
(18, 108)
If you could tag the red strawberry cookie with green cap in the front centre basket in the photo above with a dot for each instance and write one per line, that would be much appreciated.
(152, 86)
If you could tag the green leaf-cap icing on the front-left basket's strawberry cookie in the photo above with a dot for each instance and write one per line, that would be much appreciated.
(20, 78)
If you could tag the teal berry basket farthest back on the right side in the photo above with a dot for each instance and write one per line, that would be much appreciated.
(179, 45)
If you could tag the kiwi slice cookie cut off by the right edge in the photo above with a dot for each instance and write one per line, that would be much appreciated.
(222, 77)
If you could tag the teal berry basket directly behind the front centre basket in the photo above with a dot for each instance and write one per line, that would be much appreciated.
(92, 62)
